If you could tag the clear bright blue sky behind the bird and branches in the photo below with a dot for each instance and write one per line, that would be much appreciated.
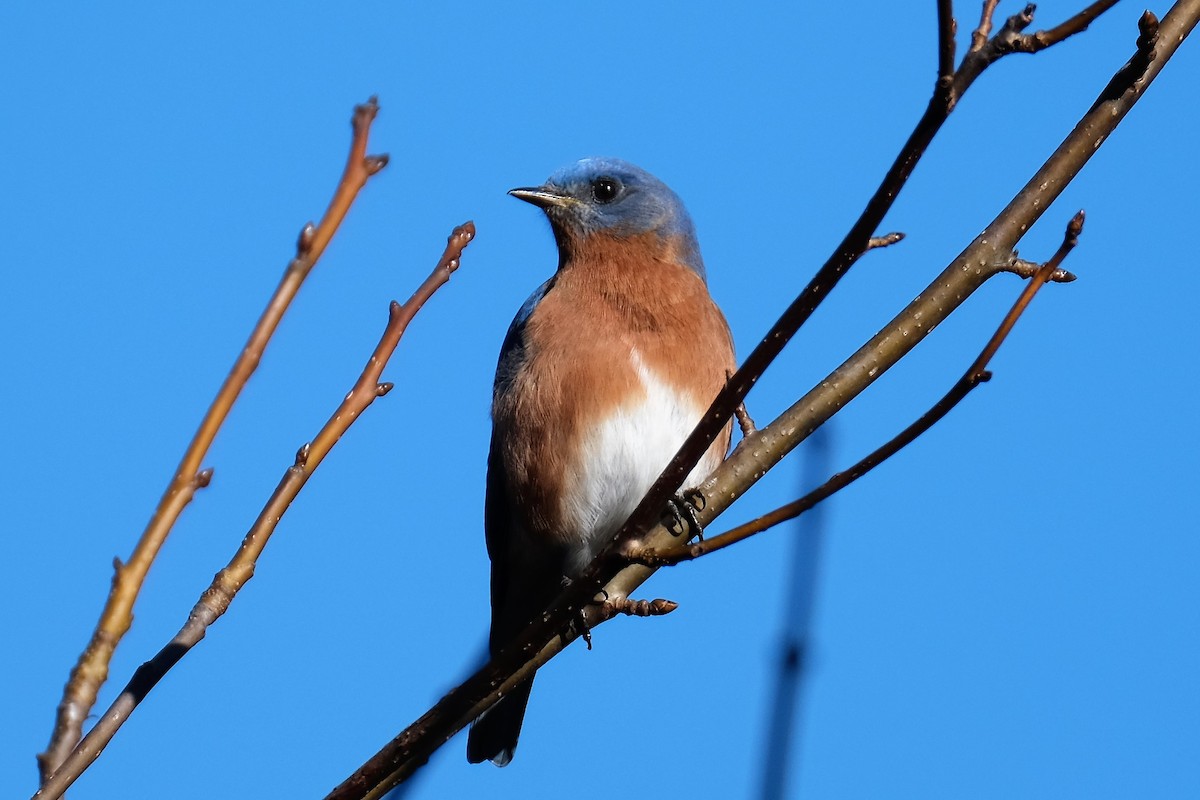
(1009, 609)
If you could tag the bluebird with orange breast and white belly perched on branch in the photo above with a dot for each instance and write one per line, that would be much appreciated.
(603, 375)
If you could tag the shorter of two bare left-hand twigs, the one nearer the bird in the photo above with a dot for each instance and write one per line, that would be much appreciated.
(215, 600)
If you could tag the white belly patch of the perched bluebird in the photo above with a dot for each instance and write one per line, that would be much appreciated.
(621, 459)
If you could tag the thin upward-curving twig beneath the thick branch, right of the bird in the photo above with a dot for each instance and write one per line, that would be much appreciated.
(977, 374)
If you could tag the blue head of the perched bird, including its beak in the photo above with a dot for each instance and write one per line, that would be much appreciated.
(614, 197)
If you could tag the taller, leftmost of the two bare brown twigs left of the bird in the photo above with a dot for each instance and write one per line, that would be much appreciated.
(92, 670)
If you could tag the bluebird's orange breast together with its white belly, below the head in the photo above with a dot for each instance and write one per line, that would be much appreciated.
(597, 410)
